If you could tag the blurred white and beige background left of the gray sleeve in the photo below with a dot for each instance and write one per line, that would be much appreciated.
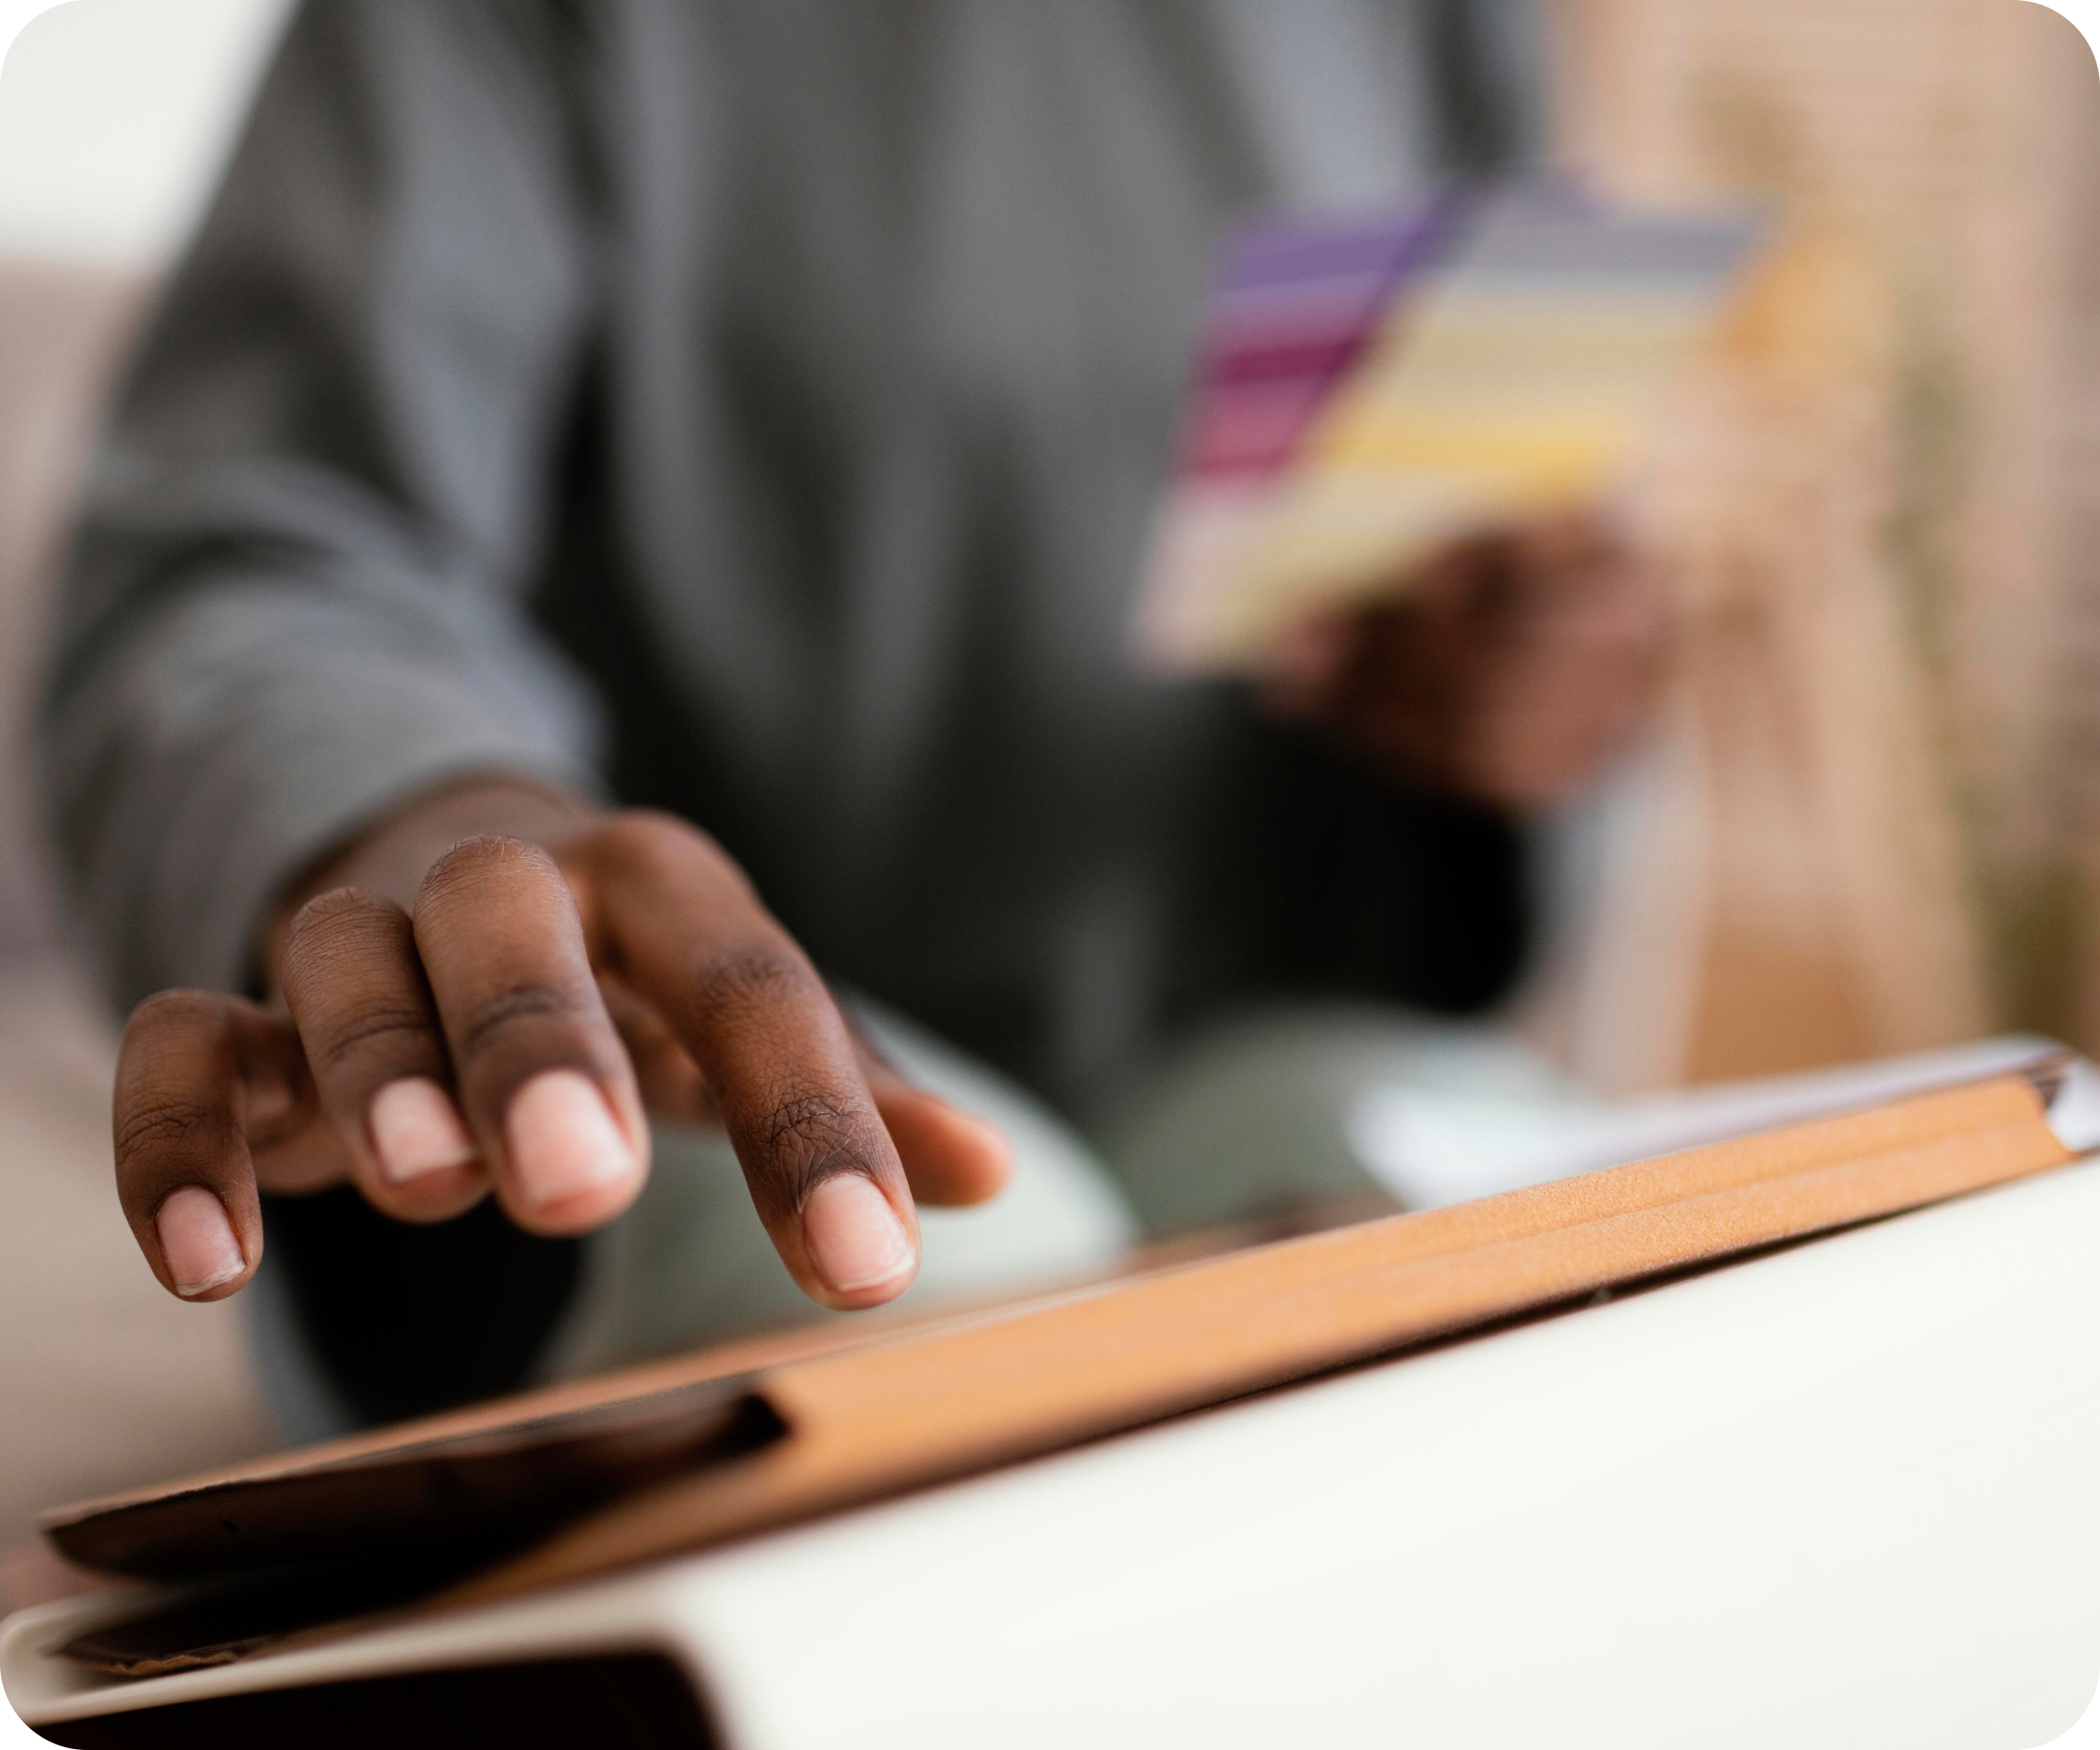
(114, 121)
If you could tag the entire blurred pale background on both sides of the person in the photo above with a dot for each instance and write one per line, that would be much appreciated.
(1870, 820)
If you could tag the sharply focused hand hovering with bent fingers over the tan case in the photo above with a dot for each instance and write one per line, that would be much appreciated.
(480, 999)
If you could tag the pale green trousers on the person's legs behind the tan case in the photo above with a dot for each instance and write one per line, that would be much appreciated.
(1248, 1121)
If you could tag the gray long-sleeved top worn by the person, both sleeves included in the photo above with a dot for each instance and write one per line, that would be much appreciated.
(757, 409)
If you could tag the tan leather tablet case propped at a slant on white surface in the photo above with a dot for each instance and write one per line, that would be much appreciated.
(604, 1474)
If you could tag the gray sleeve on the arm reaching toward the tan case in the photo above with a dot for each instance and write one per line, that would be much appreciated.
(297, 587)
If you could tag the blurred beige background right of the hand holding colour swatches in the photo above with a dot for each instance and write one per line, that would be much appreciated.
(1881, 499)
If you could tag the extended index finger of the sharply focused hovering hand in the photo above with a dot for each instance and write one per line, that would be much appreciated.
(671, 913)
